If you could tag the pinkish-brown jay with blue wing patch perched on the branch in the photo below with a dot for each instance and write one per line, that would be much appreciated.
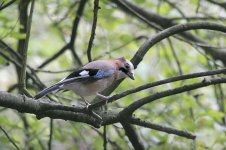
(93, 78)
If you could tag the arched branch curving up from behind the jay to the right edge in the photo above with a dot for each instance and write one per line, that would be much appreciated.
(138, 57)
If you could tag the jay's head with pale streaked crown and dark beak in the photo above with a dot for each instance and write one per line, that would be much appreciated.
(126, 67)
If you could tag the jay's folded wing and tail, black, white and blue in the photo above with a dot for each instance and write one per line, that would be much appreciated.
(83, 75)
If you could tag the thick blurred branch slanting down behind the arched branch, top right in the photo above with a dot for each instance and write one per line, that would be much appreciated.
(158, 22)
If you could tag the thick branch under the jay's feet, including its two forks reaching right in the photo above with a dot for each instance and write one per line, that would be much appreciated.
(42, 109)
